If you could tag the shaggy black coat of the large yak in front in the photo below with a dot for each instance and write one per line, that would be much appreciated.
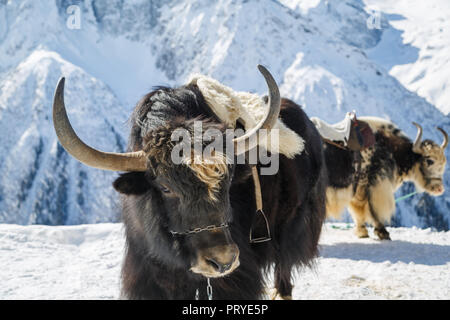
(157, 264)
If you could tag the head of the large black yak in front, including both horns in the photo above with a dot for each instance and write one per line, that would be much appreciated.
(188, 199)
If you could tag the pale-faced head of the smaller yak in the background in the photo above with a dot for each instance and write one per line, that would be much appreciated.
(429, 171)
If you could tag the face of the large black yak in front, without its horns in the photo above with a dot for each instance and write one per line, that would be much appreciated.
(190, 193)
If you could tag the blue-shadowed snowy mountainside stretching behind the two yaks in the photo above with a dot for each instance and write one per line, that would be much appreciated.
(322, 53)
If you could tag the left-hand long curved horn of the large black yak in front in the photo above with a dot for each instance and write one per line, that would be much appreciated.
(131, 161)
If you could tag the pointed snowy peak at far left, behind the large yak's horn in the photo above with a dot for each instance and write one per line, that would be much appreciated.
(40, 182)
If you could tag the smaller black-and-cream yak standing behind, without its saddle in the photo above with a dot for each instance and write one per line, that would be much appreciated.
(366, 185)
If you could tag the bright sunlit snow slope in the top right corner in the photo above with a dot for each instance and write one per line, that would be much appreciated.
(419, 59)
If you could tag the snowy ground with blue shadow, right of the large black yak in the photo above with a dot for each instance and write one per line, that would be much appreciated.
(414, 265)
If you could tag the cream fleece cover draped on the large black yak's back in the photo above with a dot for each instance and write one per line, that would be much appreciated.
(230, 106)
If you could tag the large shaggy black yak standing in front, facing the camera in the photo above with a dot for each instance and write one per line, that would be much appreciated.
(188, 224)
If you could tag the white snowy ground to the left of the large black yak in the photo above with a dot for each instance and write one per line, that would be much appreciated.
(66, 262)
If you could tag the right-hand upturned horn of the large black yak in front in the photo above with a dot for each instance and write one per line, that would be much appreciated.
(270, 118)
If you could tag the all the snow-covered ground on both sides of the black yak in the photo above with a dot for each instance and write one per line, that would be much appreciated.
(83, 262)
